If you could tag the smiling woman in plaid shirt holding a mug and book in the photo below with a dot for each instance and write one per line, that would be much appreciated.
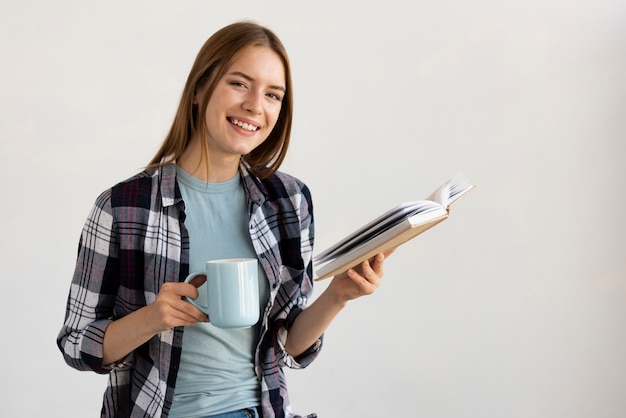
(212, 191)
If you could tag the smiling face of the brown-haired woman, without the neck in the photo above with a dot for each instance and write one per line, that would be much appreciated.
(245, 104)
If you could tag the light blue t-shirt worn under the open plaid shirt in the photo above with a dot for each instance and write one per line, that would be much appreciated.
(216, 372)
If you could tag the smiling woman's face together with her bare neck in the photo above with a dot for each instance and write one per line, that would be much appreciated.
(238, 115)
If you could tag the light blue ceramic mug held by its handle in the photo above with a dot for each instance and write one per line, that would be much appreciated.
(232, 292)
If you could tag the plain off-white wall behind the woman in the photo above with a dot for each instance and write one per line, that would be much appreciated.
(514, 307)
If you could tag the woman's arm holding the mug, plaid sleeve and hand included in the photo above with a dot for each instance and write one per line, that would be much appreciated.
(89, 338)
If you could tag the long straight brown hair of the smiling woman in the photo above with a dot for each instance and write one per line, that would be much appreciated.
(211, 63)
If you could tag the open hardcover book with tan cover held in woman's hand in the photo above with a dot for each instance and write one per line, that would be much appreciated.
(393, 228)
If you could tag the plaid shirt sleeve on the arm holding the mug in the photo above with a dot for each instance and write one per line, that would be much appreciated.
(92, 292)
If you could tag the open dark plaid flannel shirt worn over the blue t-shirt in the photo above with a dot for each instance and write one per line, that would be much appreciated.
(134, 240)
